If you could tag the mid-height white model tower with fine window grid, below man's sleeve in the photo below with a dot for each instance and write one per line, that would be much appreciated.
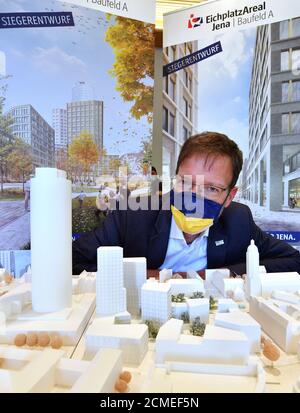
(110, 291)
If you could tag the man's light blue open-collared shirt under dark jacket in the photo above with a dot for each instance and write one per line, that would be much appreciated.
(184, 257)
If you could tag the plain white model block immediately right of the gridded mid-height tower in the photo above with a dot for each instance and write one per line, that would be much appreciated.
(135, 276)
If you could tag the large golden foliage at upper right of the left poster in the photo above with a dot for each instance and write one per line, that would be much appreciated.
(133, 45)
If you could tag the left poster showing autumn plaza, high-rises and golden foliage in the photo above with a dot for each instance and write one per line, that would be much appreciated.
(73, 95)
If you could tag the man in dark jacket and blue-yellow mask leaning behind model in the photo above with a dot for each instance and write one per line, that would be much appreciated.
(168, 238)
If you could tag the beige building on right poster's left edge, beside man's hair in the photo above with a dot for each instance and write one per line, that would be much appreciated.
(180, 105)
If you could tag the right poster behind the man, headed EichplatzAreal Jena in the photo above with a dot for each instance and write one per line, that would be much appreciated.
(238, 63)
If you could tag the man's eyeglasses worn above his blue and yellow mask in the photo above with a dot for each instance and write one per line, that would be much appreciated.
(207, 190)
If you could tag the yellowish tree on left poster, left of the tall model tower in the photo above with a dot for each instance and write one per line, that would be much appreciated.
(20, 160)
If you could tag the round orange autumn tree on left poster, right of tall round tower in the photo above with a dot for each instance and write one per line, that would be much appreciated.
(84, 151)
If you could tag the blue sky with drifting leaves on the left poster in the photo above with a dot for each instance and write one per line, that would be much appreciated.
(45, 63)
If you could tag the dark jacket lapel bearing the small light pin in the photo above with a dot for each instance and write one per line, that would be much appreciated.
(216, 247)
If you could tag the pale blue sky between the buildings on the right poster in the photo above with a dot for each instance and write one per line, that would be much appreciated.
(224, 82)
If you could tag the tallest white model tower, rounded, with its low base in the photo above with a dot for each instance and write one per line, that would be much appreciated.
(47, 305)
